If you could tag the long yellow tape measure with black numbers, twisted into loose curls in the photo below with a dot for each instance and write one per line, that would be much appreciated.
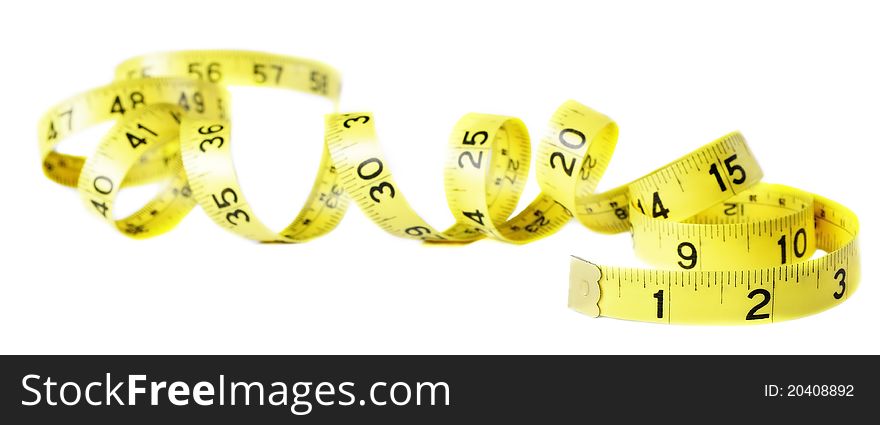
(729, 249)
